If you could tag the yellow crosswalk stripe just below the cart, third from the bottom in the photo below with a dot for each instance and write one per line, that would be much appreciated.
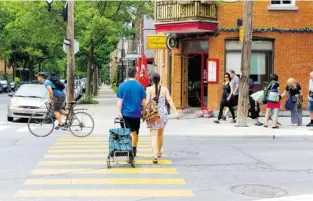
(106, 171)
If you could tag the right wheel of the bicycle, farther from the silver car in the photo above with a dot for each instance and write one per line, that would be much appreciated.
(82, 124)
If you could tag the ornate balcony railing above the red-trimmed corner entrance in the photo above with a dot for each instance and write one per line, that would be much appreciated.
(171, 11)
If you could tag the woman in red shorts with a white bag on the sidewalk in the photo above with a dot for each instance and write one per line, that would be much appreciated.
(272, 100)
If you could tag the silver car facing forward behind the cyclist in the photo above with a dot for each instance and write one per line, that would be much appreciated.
(28, 99)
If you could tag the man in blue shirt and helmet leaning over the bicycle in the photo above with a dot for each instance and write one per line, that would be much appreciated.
(57, 98)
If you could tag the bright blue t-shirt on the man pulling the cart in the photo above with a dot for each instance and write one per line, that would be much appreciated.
(132, 93)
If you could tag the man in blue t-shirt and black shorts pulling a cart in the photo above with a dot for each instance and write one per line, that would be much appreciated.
(131, 100)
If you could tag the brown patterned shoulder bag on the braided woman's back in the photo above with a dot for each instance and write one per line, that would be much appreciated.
(151, 114)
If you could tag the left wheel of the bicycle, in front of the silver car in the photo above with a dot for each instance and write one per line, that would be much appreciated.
(40, 124)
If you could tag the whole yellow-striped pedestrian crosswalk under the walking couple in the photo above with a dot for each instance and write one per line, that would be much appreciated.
(72, 163)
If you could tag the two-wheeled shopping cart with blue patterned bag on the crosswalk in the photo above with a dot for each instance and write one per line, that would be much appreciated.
(120, 144)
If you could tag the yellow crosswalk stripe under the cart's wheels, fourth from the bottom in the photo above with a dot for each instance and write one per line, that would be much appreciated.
(98, 162)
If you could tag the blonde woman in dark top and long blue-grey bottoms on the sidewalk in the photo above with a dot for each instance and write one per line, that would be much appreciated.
(293, 91)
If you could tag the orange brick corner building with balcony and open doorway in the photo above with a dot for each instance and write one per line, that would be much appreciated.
(282, 43)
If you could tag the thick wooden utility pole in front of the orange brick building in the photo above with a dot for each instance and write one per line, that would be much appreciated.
(243, 102)
